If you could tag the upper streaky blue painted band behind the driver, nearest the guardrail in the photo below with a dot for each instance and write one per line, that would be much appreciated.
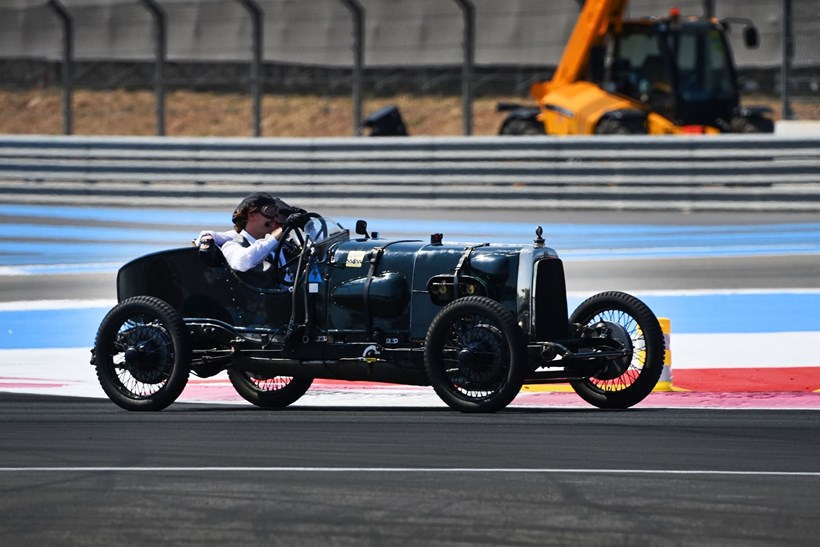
(152, 230)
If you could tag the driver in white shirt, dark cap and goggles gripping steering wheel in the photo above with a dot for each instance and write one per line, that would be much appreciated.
(258, 225)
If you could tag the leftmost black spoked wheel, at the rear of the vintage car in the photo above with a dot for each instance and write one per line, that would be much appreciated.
(142, 354)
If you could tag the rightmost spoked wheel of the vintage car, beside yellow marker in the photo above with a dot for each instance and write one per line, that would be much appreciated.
(623, 383)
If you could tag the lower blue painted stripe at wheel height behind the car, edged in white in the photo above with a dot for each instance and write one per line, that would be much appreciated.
(690, 314)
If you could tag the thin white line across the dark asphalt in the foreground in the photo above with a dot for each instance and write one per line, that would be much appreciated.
(487, 470)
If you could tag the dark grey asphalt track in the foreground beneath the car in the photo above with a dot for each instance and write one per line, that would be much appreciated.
(79, 471)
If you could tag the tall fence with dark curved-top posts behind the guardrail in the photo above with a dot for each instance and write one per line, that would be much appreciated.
(444, 47)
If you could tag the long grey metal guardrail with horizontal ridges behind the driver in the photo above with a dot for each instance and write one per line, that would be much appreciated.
(726, 172)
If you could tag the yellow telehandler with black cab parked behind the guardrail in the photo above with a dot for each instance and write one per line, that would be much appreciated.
(654, 76)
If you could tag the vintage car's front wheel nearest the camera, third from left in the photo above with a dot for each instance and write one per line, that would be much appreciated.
(475, 355)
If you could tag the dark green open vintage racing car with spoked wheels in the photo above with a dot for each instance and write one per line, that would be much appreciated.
(474, 321)
